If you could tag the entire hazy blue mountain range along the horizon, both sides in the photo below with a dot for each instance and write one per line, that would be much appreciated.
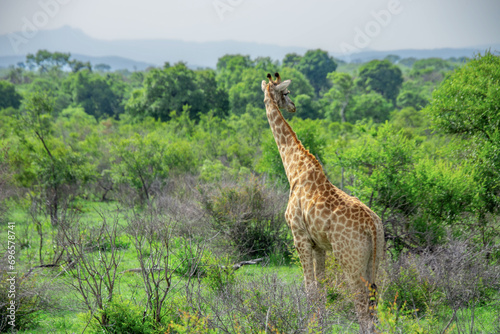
(139, 54)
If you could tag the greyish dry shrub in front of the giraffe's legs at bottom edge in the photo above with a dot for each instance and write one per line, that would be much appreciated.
(269, 304)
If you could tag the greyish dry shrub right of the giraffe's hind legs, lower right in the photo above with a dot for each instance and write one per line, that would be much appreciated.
(456, 275)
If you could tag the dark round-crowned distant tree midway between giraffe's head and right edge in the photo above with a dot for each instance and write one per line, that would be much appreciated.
(381, 76)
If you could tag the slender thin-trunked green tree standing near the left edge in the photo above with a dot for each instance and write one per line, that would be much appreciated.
(45, 162)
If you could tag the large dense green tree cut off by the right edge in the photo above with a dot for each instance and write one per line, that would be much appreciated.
(467, 105)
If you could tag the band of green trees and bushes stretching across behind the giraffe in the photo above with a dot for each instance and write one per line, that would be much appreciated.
(416, 139)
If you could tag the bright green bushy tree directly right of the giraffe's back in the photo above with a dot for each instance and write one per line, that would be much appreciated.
(417, 197)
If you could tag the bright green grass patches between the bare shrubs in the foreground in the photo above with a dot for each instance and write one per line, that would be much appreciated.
(65, 312)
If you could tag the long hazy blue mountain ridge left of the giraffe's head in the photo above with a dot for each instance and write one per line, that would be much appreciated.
(155, 52)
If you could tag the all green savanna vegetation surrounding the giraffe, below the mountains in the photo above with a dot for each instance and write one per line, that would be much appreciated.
(137, 197)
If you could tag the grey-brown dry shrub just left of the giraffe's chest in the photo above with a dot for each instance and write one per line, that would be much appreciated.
(249, 216)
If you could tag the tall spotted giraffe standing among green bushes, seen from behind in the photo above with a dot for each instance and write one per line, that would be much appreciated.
(321, 216)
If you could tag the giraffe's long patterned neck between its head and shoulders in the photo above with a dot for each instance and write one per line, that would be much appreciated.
(291, 150)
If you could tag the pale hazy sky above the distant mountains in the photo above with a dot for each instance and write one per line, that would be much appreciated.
(334, 25)
